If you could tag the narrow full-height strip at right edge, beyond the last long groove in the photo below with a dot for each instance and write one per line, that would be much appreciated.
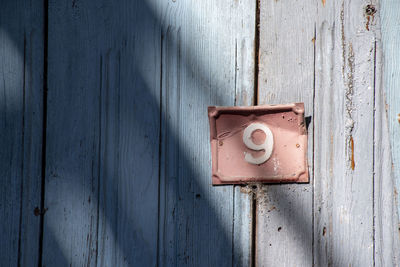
(387, 130)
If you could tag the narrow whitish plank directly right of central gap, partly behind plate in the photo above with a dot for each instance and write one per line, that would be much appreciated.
(286, 74)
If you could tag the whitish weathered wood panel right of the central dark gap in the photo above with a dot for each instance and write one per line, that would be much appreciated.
(352, 214)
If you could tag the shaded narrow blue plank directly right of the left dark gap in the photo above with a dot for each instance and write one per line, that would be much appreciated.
(71, 184)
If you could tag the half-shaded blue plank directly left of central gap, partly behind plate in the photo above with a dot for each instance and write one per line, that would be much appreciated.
(207, 60)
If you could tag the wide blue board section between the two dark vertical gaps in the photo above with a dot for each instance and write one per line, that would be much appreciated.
(109, 64)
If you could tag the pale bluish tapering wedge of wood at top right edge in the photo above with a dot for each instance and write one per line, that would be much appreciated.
(390, 27)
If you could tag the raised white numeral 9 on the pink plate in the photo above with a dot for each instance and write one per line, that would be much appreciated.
(266, 146)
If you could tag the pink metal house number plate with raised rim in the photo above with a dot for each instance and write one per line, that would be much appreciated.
(266, 144)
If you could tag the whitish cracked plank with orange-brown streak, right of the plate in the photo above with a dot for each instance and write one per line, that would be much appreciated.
(355, 219)
